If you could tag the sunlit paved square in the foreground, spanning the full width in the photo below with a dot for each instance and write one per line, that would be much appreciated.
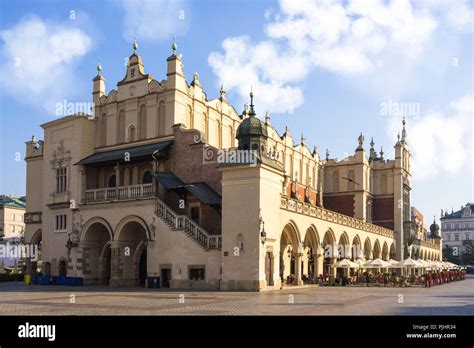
(450, 299)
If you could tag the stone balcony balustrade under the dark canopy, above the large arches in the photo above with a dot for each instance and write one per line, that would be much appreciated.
(121, 193)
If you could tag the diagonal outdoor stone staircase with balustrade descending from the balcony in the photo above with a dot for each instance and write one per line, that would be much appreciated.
(189, 227)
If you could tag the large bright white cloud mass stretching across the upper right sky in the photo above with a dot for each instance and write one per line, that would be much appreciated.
(369, 38)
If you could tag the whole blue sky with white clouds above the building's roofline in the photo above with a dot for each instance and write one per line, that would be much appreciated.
(323, 68)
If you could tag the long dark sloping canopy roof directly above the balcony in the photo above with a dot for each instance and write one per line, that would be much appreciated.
(135, 153)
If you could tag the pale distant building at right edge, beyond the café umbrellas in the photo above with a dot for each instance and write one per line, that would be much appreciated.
(458, 229)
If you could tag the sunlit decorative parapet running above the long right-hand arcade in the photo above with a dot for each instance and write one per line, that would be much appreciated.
(331, 216)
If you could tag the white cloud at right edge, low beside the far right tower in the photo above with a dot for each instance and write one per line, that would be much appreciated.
(441, 141)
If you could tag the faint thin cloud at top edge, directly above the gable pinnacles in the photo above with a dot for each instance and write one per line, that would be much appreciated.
(154, 20)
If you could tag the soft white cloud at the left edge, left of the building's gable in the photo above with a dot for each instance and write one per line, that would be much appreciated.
(38, 60)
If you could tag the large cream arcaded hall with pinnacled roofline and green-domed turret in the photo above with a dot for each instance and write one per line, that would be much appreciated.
(138, 193)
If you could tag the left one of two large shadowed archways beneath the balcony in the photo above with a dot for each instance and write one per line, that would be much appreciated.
(95, 249)
